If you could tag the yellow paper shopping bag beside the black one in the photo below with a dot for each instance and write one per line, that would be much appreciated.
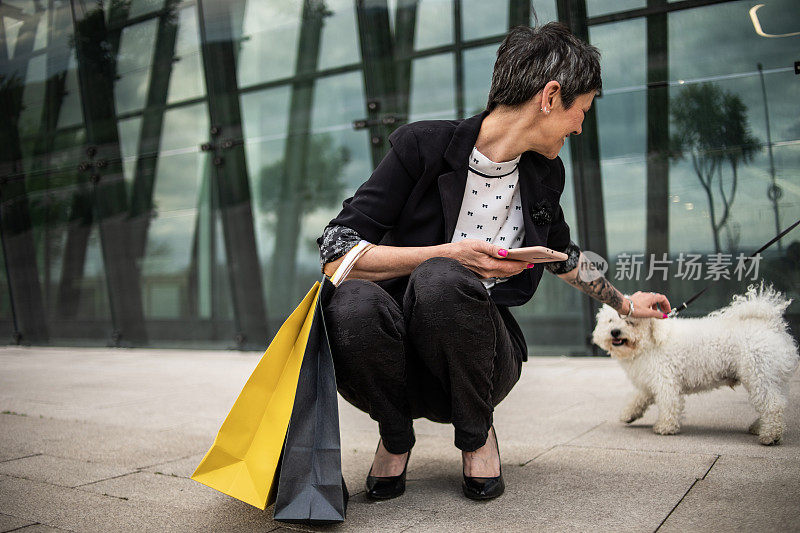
(244, 457)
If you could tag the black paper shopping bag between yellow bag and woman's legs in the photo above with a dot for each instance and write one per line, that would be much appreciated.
(311, 489)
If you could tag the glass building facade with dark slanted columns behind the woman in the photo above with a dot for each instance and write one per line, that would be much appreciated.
(166, 166)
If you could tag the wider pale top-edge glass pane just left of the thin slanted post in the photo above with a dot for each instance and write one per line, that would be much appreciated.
(269, 46)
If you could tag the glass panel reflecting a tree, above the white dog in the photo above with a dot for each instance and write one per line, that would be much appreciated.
(728, 95)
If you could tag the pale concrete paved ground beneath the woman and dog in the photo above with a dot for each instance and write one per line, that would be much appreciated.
(105, 439)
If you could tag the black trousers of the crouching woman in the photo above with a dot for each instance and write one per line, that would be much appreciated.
(442, 350)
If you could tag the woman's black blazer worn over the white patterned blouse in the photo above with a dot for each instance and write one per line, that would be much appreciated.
(413, 198)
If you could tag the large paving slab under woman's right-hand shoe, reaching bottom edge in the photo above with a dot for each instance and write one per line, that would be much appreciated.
(567, 488)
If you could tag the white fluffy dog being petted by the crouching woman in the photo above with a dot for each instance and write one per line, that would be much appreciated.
(746, 342)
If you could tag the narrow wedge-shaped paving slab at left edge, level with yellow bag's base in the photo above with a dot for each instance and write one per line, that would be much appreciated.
(59, 471)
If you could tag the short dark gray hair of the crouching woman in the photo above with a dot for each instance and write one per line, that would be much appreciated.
(529, 58)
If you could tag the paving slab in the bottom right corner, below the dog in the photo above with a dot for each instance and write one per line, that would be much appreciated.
(742, 494)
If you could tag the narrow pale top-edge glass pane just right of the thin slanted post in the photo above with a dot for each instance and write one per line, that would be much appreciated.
(339, 44)
